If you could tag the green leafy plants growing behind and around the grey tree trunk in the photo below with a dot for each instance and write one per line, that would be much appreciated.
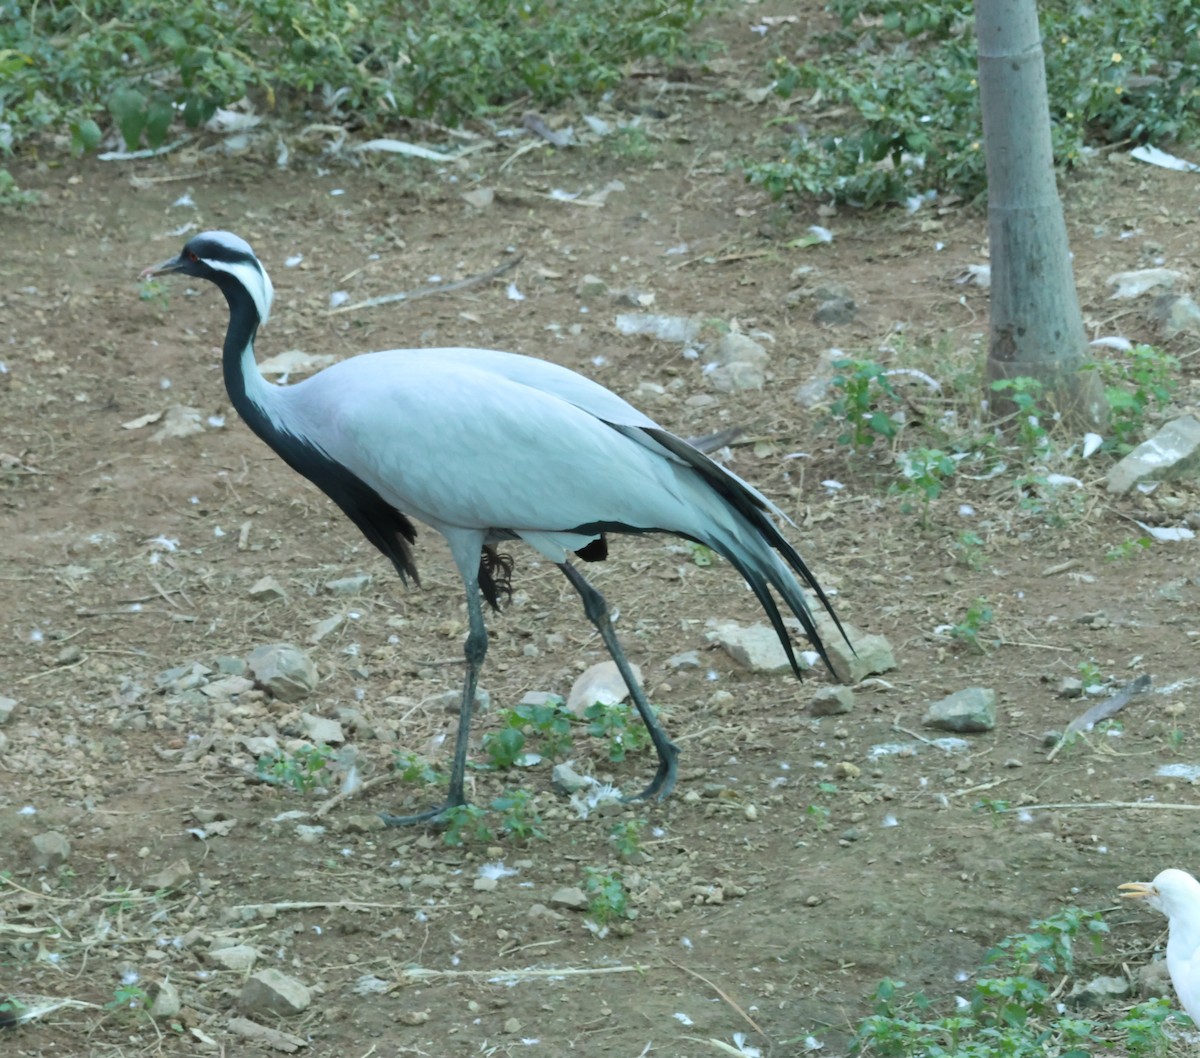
(902, 80)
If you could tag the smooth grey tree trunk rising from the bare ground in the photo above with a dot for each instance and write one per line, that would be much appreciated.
(1037, 330)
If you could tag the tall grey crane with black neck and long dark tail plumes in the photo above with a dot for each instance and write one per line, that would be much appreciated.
(487, 447)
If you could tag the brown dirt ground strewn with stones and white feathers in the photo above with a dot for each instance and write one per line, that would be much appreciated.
(775, 889)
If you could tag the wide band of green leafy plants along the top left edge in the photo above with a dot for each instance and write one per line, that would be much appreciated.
(146, 68)
